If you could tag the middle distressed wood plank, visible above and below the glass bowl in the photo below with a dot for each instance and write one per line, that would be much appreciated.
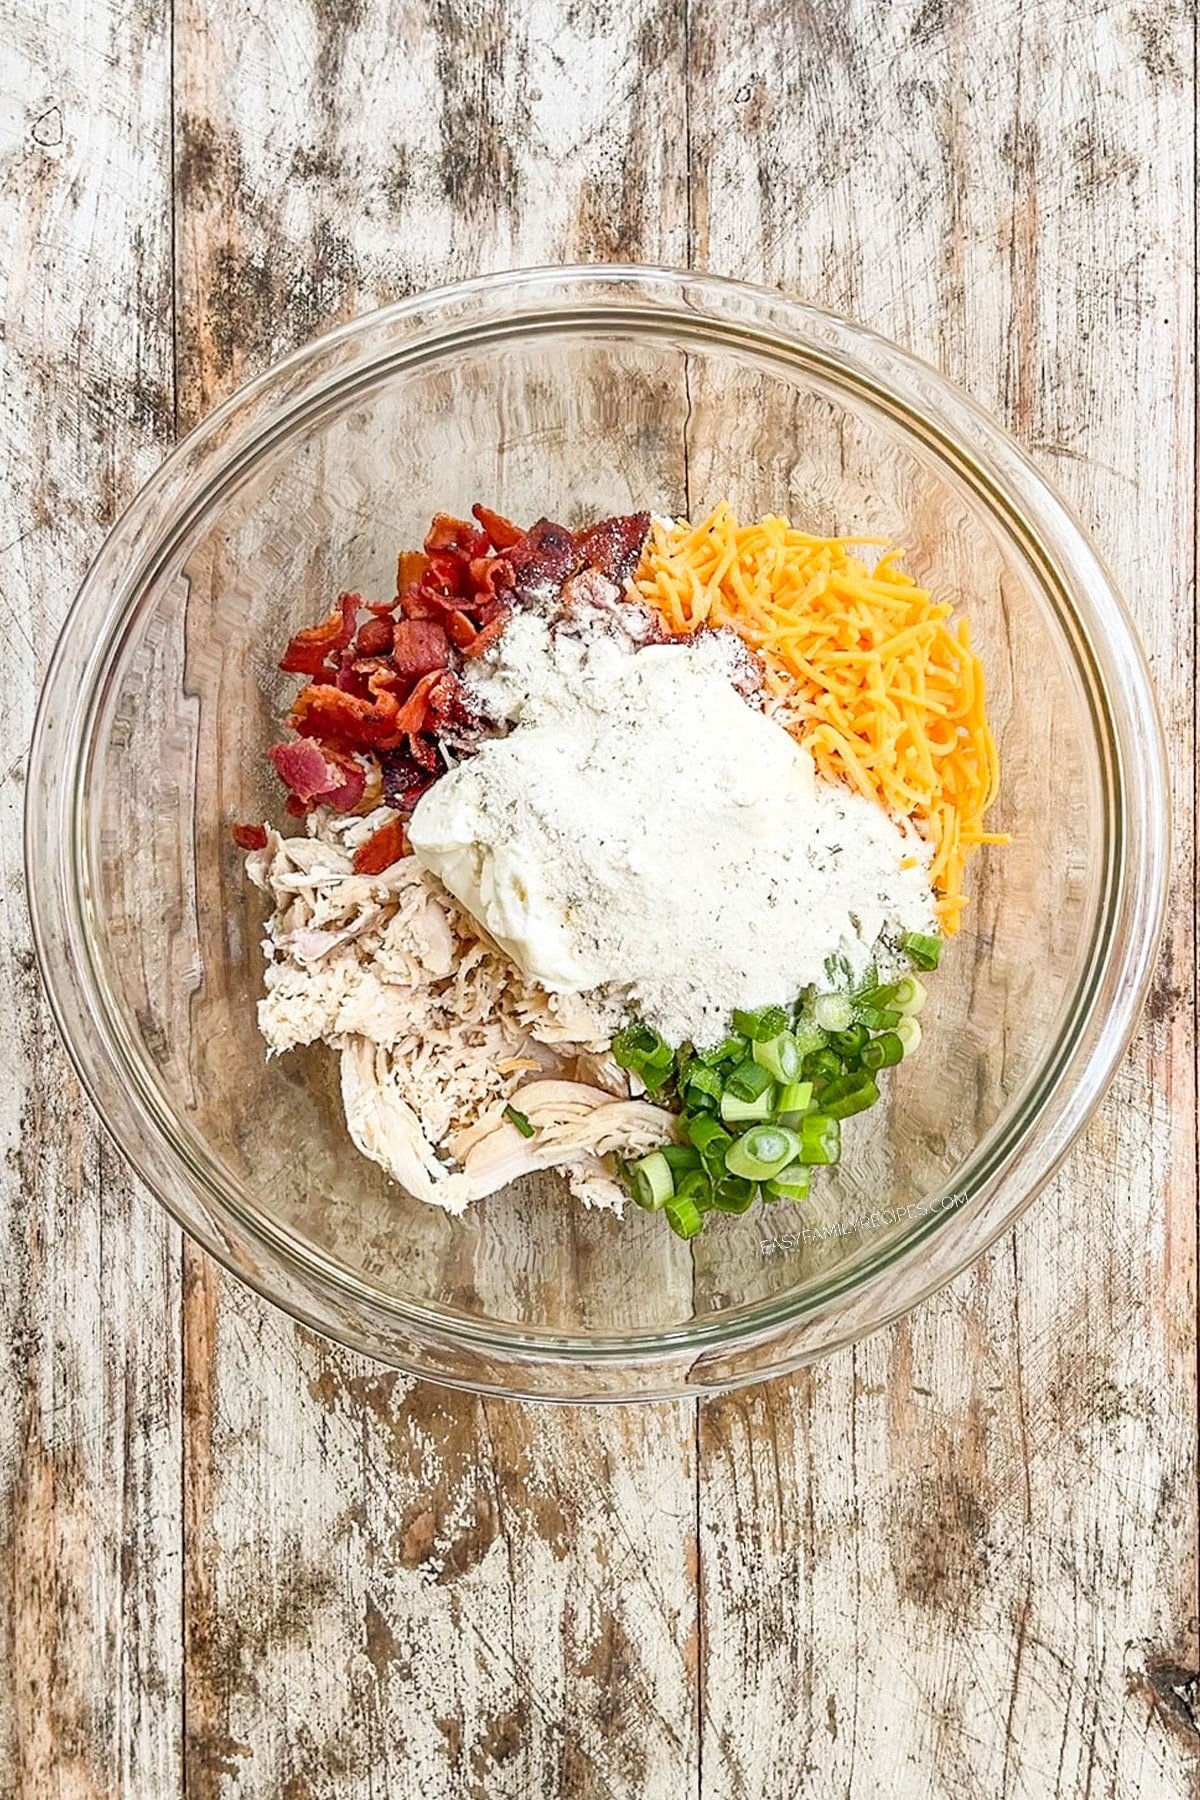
(391, 1588)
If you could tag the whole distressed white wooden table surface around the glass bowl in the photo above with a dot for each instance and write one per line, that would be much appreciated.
(958, 1560)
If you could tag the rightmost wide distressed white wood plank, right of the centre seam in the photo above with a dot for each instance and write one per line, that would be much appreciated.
(963, 1558)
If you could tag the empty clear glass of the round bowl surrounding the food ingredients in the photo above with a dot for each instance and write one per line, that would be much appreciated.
(578, 393)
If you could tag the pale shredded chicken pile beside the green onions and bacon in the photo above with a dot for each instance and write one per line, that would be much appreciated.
(438, 1030)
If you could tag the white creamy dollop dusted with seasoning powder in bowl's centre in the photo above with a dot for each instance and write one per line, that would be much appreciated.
(647, 832)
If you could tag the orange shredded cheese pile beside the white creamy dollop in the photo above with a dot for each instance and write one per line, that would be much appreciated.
(863, 667)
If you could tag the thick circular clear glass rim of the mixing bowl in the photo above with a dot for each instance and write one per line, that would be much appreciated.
(963, 433)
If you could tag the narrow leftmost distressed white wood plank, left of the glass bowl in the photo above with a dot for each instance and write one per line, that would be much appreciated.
(91, 1641)
